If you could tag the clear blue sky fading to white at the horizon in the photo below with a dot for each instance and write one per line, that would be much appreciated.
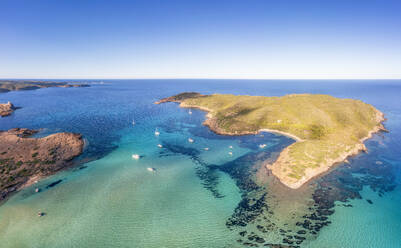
(200, 39)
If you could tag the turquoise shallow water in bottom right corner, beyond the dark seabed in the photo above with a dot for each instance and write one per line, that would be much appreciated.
(364, 225)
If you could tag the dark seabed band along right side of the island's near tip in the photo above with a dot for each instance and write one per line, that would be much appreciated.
(343, 184)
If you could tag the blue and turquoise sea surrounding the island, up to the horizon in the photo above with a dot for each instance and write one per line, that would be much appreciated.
(197, 197)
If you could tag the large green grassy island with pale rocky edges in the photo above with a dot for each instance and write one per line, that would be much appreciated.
(326, 129)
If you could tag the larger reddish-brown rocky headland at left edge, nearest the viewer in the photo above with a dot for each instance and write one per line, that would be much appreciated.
(23, 159)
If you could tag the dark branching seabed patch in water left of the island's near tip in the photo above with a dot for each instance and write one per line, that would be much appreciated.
(252, 207)
